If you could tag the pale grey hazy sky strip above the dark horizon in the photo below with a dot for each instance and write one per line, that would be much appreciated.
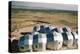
(34, 5)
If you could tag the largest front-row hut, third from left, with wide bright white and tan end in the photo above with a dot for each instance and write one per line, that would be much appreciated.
(54, 40)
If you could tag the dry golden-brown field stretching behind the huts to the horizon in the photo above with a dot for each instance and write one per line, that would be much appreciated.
(23, 20)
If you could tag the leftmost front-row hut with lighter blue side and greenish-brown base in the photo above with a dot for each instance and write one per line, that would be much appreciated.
(25, 42)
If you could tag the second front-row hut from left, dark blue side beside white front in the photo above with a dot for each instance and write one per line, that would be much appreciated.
(39, 42)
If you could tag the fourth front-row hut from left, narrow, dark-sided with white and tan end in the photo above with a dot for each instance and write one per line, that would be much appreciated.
(67, 39)
